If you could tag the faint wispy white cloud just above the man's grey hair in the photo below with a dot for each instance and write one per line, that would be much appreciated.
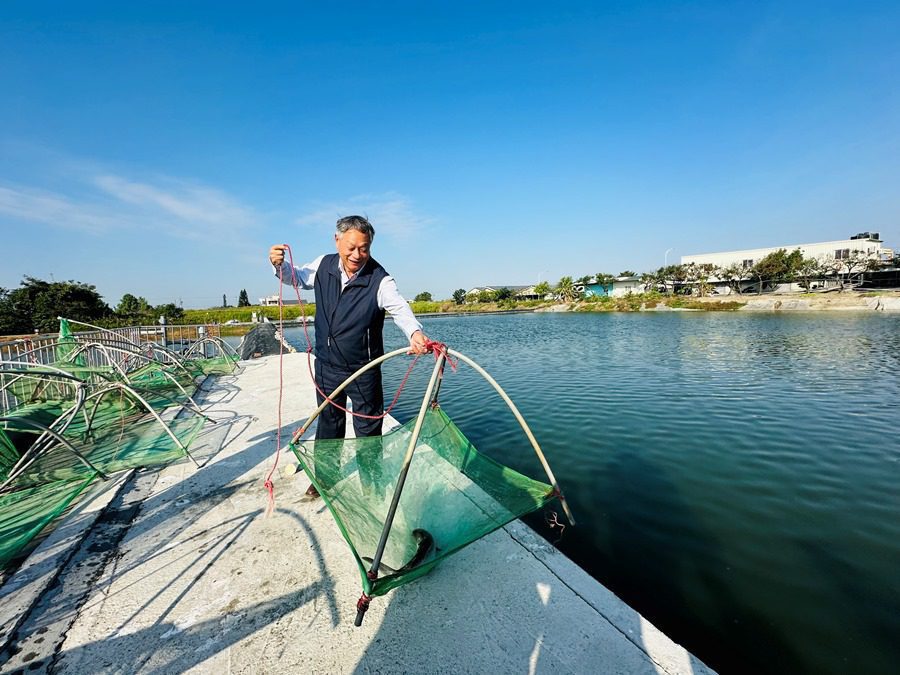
(391, 213)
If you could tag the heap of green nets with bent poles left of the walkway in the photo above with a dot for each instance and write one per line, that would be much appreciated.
(72, 419)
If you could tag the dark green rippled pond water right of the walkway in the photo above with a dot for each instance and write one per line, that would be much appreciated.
(736, 477)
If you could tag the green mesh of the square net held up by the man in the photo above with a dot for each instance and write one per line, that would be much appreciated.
(452, 496)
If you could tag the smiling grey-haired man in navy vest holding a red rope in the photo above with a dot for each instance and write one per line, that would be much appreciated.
(352, 293)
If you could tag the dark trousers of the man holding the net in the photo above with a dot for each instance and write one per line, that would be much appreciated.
(366, 394)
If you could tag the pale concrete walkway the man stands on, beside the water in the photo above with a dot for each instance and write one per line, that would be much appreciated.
(187, 573)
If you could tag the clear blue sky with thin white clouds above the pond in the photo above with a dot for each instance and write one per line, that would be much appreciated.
(160, 150)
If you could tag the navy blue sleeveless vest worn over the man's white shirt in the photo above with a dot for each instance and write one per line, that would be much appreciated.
(349, 324)
